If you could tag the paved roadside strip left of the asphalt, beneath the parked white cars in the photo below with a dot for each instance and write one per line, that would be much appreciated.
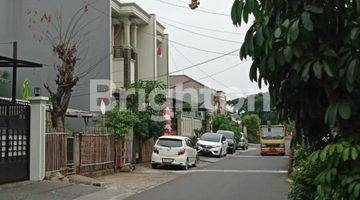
(115, 186)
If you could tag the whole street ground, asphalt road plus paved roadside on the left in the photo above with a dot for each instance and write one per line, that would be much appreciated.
(244, 175)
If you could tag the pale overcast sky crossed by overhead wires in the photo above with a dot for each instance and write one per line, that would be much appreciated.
(235, 81)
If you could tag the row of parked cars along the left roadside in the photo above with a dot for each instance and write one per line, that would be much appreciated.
(183, 152)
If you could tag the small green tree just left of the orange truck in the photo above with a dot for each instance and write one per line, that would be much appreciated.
(252, 123)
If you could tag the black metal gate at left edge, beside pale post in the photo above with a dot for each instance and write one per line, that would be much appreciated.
(14, 142)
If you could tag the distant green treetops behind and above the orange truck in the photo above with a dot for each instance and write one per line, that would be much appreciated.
(242, 107)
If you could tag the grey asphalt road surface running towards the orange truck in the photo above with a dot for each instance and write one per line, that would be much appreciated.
(245, 175)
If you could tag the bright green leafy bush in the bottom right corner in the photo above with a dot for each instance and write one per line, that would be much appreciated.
(338, 179)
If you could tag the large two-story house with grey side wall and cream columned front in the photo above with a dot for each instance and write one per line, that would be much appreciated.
(119, 42)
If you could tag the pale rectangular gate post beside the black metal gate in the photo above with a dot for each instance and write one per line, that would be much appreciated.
(37, 137)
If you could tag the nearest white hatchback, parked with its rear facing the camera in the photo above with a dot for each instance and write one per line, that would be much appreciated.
(174, 150)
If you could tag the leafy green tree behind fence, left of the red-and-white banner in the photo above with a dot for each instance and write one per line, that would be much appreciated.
(146, 127)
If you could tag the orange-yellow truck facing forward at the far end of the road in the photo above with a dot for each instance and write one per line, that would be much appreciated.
(272, 140)
